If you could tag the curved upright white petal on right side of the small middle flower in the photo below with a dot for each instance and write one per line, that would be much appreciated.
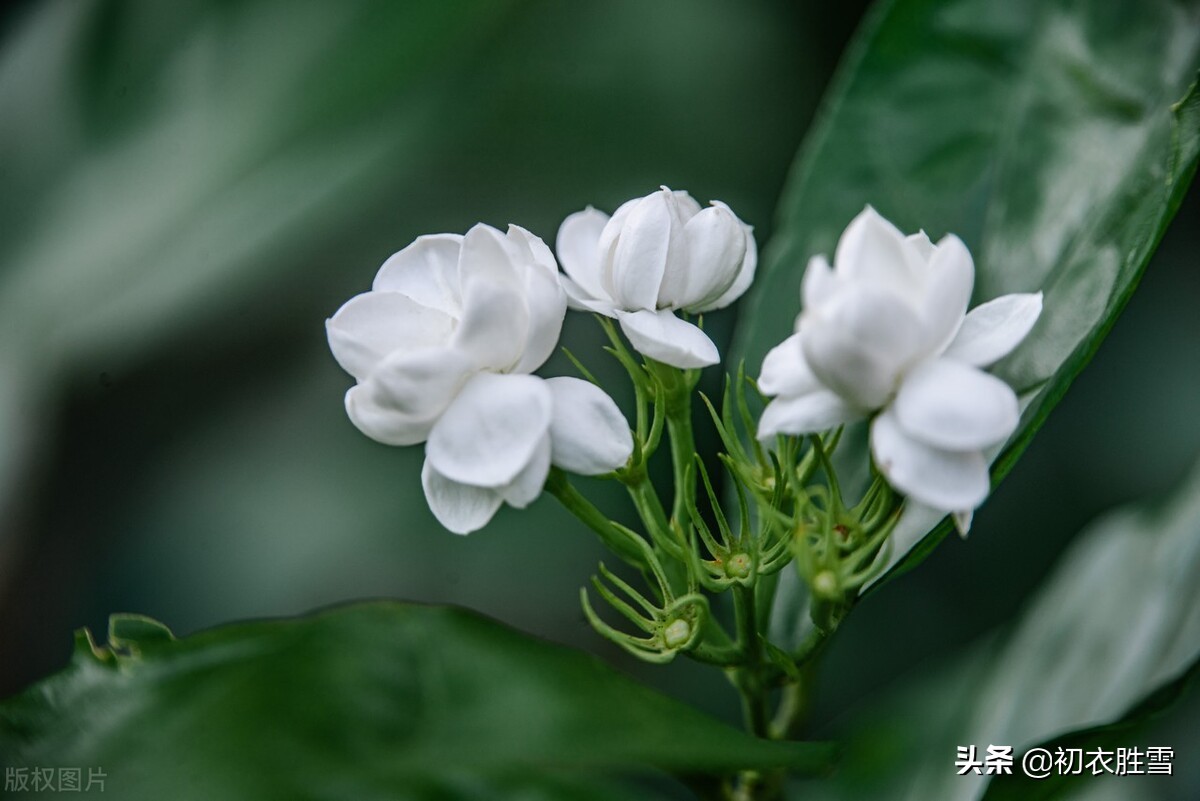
(717, 246)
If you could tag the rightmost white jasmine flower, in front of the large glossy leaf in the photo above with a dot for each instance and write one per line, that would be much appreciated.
(886, 330)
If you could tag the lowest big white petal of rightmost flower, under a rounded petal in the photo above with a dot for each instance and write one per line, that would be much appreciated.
(945, 480)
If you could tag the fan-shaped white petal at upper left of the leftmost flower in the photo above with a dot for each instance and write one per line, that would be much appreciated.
(427, 272)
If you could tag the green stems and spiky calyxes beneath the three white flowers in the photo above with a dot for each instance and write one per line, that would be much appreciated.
(782, 504)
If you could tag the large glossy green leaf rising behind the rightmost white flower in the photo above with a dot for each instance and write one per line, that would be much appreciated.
(1049, 135)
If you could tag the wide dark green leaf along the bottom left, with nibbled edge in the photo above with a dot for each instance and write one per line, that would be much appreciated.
(371, 701)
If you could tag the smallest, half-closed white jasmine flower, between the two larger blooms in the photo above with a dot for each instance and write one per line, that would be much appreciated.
(657, 256)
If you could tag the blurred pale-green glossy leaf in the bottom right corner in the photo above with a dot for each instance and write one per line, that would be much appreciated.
(1112, 641)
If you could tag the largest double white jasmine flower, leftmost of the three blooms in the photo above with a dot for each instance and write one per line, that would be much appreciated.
(442, 348)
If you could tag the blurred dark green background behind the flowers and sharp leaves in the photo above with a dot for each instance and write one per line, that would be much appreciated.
(189, 190)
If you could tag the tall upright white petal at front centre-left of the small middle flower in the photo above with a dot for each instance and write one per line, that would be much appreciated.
(640, 258)
